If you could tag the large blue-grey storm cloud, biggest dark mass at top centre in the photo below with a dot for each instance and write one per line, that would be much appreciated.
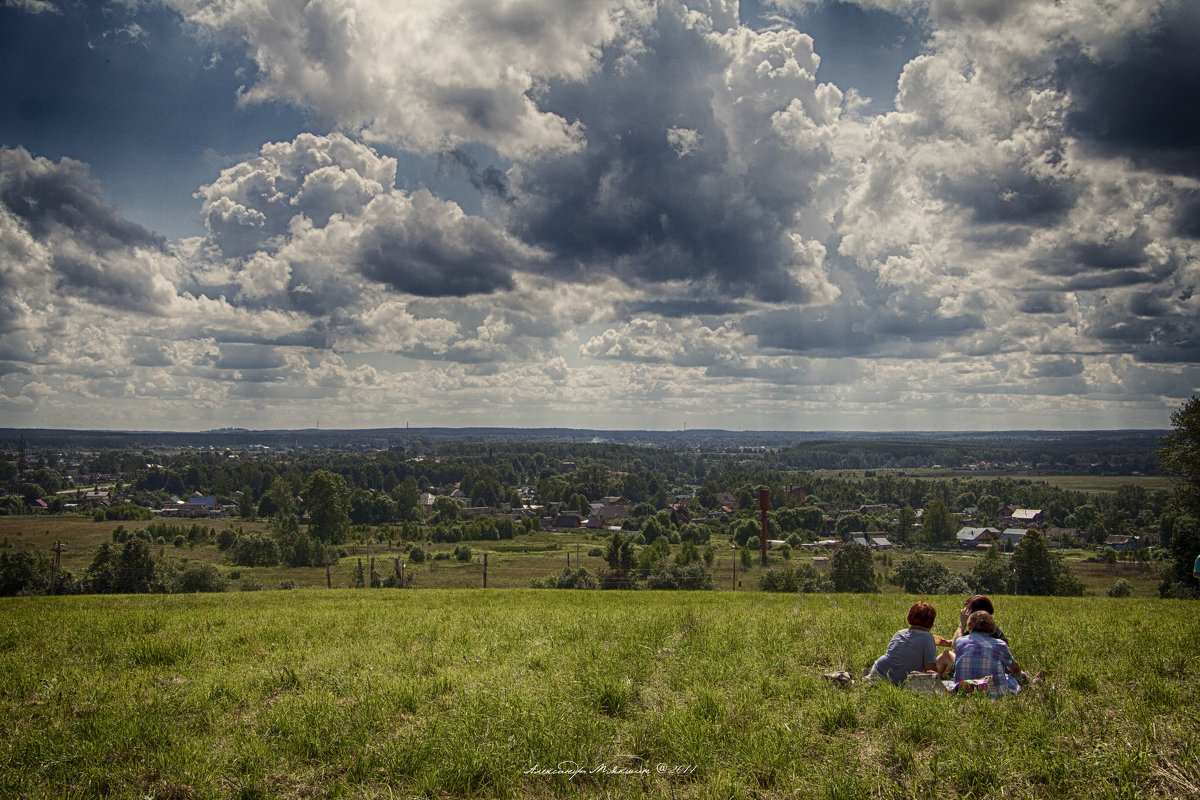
(658, 194)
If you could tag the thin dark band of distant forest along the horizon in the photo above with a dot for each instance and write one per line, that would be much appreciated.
(1100, 453)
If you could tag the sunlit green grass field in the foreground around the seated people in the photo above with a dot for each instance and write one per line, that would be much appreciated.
(448, 694)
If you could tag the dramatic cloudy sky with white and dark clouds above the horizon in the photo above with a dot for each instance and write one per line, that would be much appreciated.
(805, 215)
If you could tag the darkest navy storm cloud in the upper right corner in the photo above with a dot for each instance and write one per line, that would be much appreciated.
(1143, 104)
